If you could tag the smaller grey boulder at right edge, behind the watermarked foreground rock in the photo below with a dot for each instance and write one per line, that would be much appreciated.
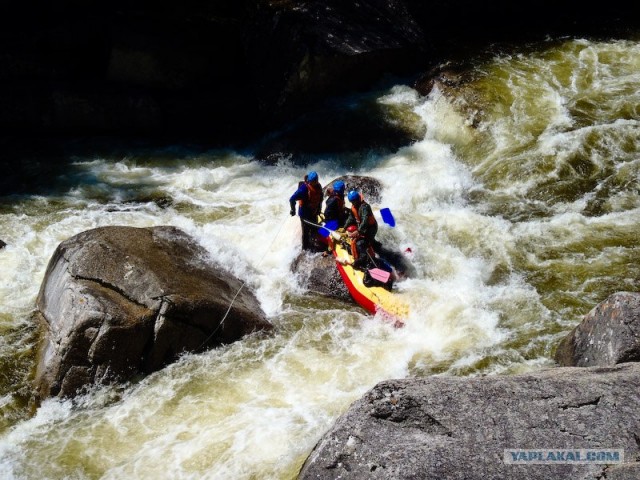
(609, 334)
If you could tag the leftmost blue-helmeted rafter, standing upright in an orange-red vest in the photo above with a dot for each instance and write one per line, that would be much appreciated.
(309, 197)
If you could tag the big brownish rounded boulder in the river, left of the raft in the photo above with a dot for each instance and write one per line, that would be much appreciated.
(118, 302)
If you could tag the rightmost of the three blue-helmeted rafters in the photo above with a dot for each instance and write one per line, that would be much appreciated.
(364, 233)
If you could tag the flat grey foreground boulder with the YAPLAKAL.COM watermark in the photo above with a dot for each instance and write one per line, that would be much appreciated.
(463, 428)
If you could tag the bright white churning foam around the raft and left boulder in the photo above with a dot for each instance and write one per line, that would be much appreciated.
(191, 422)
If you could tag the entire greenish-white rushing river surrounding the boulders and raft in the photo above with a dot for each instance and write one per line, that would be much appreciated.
(520, 205)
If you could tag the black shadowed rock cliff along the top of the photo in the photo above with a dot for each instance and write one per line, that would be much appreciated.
(221, 69)
